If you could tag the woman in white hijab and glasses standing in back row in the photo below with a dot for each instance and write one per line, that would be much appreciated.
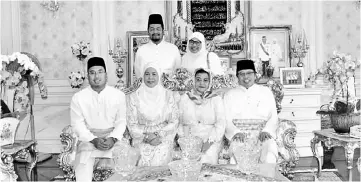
(198, 57)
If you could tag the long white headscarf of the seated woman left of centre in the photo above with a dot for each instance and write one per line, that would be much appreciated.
(151, 100)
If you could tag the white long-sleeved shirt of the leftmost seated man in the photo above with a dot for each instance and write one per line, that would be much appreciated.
(92, 110)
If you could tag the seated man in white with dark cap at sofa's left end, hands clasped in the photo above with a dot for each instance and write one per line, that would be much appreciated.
(98, 118)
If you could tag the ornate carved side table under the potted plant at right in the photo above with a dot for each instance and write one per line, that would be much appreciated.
(332, 139)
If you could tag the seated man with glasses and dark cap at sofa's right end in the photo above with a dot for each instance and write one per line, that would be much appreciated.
(251, 101)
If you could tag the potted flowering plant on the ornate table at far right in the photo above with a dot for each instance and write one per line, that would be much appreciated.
(344, 108)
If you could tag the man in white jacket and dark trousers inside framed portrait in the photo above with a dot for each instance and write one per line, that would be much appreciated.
(264, 54)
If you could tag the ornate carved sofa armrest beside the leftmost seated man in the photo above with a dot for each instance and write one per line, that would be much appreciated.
(67, 155)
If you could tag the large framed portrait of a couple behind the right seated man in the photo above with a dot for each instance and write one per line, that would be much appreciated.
(277, 46)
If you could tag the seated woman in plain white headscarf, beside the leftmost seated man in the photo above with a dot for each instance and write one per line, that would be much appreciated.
(153, 119)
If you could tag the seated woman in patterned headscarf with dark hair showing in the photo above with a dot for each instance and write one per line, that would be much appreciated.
(203, 117)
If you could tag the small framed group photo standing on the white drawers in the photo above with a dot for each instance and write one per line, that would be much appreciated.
(293, 77)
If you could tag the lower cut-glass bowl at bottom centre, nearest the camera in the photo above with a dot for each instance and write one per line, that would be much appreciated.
(185, 170)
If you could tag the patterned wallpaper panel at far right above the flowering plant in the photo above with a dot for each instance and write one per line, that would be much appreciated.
(341, 27)
